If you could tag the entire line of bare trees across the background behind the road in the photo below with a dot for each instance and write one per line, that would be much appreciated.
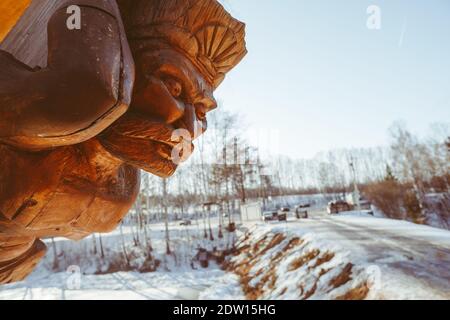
(228, 171)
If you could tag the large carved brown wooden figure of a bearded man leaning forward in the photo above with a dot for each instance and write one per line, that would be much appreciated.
(81, 111)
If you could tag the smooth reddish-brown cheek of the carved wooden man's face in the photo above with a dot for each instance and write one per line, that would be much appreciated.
(154, 99)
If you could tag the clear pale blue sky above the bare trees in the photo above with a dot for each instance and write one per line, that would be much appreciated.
(320, 78)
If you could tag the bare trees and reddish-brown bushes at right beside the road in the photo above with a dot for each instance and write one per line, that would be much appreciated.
(416, 185)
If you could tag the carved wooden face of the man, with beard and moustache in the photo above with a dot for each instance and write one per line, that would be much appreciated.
(169, 94)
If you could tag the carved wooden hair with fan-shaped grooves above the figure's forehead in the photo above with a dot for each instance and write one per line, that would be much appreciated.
(201, 29)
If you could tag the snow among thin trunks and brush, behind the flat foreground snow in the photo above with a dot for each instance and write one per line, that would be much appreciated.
(184, 242)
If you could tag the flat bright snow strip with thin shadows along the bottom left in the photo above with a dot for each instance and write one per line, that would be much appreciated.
(123, 286)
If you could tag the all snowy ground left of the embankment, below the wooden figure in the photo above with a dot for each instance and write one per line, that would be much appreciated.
(77, 274)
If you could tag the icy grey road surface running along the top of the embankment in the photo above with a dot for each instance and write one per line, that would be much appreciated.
(414, 253)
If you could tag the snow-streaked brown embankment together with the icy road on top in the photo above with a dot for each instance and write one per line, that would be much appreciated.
(344, 257)
